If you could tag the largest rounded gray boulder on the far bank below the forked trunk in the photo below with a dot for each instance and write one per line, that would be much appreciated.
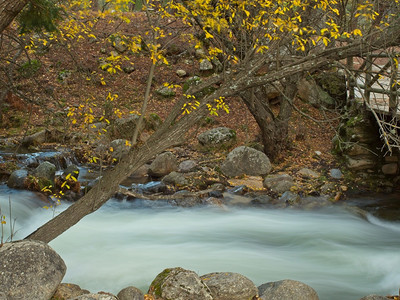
(246, 161)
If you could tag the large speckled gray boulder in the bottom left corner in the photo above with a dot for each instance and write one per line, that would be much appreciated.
(30, 270)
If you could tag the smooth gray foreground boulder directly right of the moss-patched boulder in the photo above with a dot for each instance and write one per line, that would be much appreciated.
(230, 286)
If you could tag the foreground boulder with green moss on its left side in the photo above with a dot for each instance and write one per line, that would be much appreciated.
(179, 284)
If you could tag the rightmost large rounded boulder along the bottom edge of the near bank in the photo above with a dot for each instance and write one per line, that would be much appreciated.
(287, 290)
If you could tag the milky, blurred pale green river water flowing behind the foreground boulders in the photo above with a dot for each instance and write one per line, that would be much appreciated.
(341, 255)
